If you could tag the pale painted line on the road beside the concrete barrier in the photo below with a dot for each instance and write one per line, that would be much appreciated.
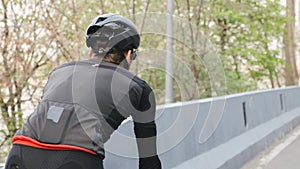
(264, 161)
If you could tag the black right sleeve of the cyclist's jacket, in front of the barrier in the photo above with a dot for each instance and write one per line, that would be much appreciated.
(145, 130)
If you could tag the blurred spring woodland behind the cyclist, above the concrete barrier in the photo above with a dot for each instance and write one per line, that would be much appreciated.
(256, 42)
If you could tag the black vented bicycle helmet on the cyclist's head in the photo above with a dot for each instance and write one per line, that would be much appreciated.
(113, 29)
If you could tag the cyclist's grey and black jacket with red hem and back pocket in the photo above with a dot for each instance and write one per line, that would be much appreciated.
(84, 102)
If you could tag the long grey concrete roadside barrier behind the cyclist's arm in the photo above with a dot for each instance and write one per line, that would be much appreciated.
(222, 132)
